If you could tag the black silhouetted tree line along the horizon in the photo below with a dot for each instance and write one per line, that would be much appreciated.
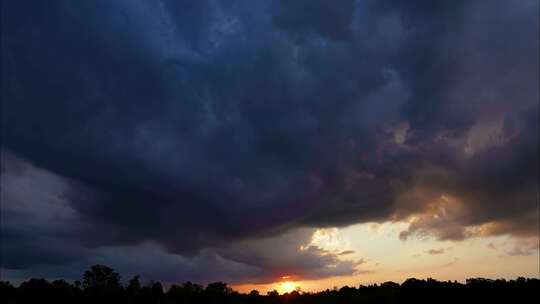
(101, 284)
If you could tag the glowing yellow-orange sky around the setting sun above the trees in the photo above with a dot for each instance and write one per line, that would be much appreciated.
(384, 257)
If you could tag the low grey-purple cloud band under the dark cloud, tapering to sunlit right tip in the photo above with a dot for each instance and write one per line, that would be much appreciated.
(53, 238)
